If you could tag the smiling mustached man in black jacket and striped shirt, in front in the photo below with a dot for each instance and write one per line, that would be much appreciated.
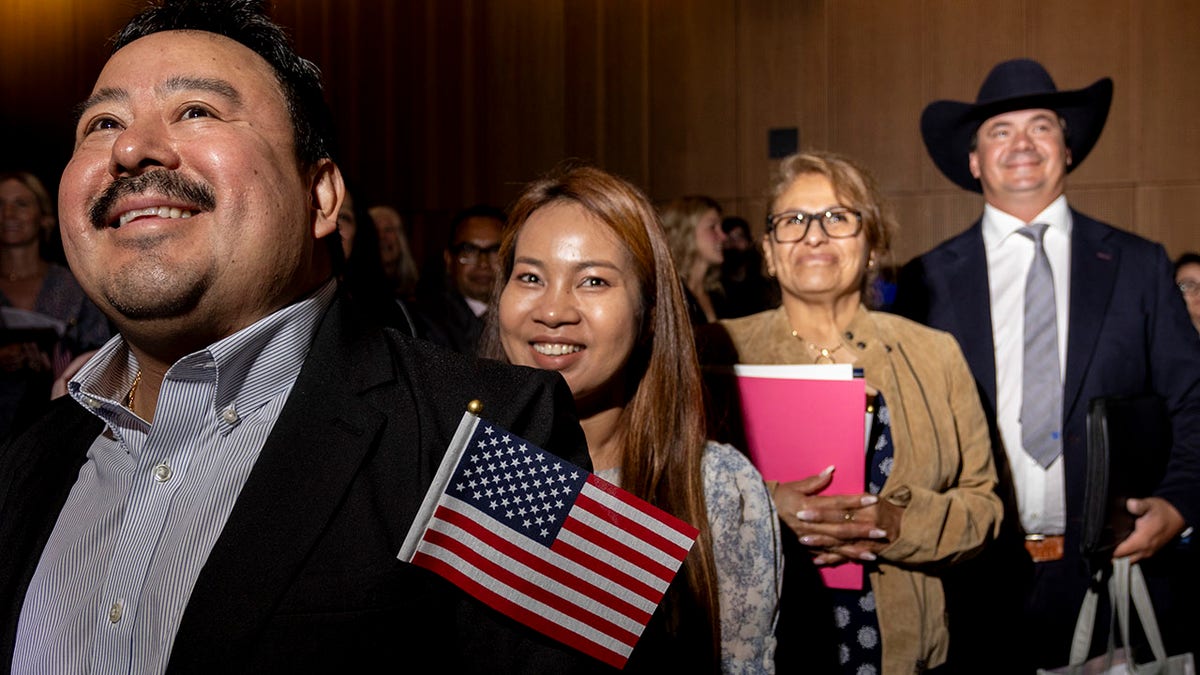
(229, 483)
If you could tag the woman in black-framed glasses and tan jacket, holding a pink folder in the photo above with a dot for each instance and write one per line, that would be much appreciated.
(929, 495)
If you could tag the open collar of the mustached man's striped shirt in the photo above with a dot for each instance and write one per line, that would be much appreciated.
(250, 367)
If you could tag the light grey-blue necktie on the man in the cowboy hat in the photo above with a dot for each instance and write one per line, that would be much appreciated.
(1042, 385)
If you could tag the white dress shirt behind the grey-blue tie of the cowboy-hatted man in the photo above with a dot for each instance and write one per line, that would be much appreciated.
(1040, 492)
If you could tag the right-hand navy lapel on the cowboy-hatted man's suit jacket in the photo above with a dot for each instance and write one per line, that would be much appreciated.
(1094, 271)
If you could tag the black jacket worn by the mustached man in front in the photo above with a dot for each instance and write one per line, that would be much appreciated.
(304, 577)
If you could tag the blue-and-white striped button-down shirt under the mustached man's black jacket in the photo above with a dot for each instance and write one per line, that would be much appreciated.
(152, 500)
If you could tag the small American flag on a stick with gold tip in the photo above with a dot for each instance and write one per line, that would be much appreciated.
(547, 542)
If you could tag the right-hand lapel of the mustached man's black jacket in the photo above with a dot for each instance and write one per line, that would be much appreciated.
(326, 432)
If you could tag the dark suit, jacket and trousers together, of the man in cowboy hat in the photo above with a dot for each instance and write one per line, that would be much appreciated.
(1129, 333)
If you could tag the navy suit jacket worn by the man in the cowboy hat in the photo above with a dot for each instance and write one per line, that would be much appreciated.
(1129, 334)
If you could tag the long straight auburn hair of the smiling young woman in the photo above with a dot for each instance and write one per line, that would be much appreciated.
(663, 422)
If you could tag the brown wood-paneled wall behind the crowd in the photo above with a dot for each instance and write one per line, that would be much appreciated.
(443, 104)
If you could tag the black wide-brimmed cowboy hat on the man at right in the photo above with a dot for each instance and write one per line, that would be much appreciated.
(1021, 85)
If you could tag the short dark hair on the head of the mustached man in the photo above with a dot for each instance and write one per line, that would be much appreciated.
(249, 23)
